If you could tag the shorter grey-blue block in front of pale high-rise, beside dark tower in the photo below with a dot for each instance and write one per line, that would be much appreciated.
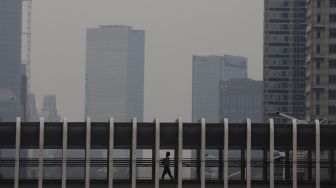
(241, 98)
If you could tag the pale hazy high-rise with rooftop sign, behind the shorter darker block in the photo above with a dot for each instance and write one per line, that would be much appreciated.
(208, 71)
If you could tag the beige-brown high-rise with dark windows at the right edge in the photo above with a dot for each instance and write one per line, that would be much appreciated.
(321, 60)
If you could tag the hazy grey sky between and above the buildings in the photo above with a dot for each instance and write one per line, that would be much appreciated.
(175, 30)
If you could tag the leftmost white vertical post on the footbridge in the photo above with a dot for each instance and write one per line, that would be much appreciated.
(17, 152)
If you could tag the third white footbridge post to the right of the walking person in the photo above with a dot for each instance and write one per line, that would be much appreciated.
(226, 153)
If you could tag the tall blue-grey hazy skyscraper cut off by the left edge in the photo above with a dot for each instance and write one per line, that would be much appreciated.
(10, 49)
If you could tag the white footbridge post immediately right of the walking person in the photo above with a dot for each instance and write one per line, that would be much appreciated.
(180, 150)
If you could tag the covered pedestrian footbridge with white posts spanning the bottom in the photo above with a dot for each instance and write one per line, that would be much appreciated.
(257, 165)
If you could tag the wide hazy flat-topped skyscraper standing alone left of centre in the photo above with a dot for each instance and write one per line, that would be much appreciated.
(114, 73)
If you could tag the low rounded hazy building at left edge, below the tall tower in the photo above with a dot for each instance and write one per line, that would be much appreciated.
(9, 105)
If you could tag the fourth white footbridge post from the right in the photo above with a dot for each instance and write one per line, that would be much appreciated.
(248, 154)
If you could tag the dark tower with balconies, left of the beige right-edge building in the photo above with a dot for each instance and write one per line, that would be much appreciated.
(284, 58)
